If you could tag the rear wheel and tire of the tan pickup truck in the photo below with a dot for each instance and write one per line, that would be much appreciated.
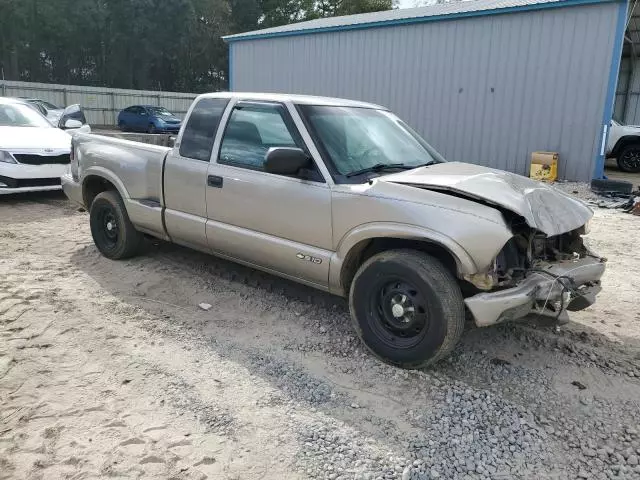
(112, 231)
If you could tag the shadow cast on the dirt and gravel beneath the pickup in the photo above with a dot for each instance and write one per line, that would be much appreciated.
(285, 319)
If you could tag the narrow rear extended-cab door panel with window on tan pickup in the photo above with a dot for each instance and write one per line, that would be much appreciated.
(185, 175)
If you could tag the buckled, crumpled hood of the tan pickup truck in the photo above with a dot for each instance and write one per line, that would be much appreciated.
(543, 207)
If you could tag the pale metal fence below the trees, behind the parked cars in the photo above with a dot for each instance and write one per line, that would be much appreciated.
(101, 105)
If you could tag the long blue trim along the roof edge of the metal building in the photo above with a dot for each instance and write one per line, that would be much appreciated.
(409, 21)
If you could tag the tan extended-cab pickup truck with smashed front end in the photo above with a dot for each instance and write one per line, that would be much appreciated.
(345, 197)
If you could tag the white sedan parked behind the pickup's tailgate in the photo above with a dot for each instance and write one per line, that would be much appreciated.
(34, 154)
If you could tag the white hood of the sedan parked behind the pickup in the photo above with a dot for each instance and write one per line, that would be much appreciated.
(29, 139)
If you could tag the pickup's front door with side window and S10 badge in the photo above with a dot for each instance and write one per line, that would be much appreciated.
(276, 222)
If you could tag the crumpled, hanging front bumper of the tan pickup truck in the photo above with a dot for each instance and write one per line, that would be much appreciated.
(541, 292)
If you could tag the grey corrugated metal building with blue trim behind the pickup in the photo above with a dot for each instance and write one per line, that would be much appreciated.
(485, 81)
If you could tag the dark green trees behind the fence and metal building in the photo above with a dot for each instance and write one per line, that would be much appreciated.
(142, 44)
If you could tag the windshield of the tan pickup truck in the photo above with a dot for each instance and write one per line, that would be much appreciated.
(364, 140)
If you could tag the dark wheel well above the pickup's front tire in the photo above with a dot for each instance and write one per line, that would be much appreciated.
(365, 249)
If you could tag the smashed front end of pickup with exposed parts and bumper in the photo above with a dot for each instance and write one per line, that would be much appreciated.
(536, 273)
